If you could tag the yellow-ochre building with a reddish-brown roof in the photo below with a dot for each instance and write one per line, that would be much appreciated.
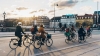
(85, 20)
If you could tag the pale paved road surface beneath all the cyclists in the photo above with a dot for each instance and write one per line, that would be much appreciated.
(59, 48)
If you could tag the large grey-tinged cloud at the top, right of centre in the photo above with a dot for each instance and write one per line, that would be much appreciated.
(64, 3)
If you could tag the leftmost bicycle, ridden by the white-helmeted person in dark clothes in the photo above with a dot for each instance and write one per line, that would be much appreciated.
(13, 44)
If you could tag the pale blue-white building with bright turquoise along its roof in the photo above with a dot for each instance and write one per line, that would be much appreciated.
(69, 19)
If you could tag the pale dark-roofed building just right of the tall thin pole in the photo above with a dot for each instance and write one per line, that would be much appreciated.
(55, 21)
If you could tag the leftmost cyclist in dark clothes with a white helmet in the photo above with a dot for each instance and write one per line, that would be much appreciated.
(18, 33)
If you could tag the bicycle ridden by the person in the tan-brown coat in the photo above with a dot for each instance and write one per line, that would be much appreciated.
(48, 41)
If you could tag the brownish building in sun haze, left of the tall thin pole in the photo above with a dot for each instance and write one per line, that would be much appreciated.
(42, 20)
